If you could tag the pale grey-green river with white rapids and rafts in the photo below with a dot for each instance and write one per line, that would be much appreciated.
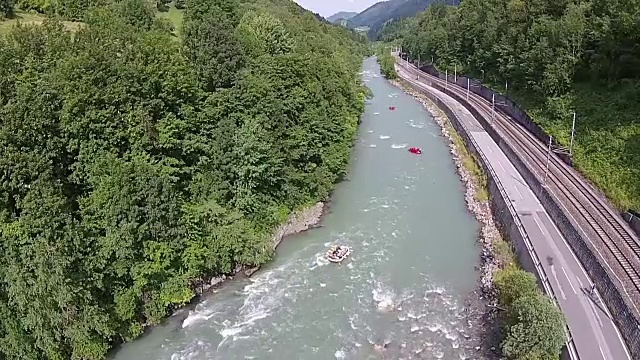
(406, 282)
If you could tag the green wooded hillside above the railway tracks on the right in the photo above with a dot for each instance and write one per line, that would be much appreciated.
(557, 57)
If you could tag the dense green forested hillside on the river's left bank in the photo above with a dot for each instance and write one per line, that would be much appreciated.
(134, 164)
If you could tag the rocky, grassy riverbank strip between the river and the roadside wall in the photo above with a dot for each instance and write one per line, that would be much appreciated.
(495, 252)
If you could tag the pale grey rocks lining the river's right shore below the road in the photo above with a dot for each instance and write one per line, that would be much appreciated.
(483, 307)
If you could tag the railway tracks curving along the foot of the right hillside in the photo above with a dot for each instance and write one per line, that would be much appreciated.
(599, 219)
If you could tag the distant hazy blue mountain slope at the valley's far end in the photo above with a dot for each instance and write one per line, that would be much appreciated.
(378, 14)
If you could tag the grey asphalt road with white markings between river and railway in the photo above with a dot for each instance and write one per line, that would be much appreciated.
(594, 334)
